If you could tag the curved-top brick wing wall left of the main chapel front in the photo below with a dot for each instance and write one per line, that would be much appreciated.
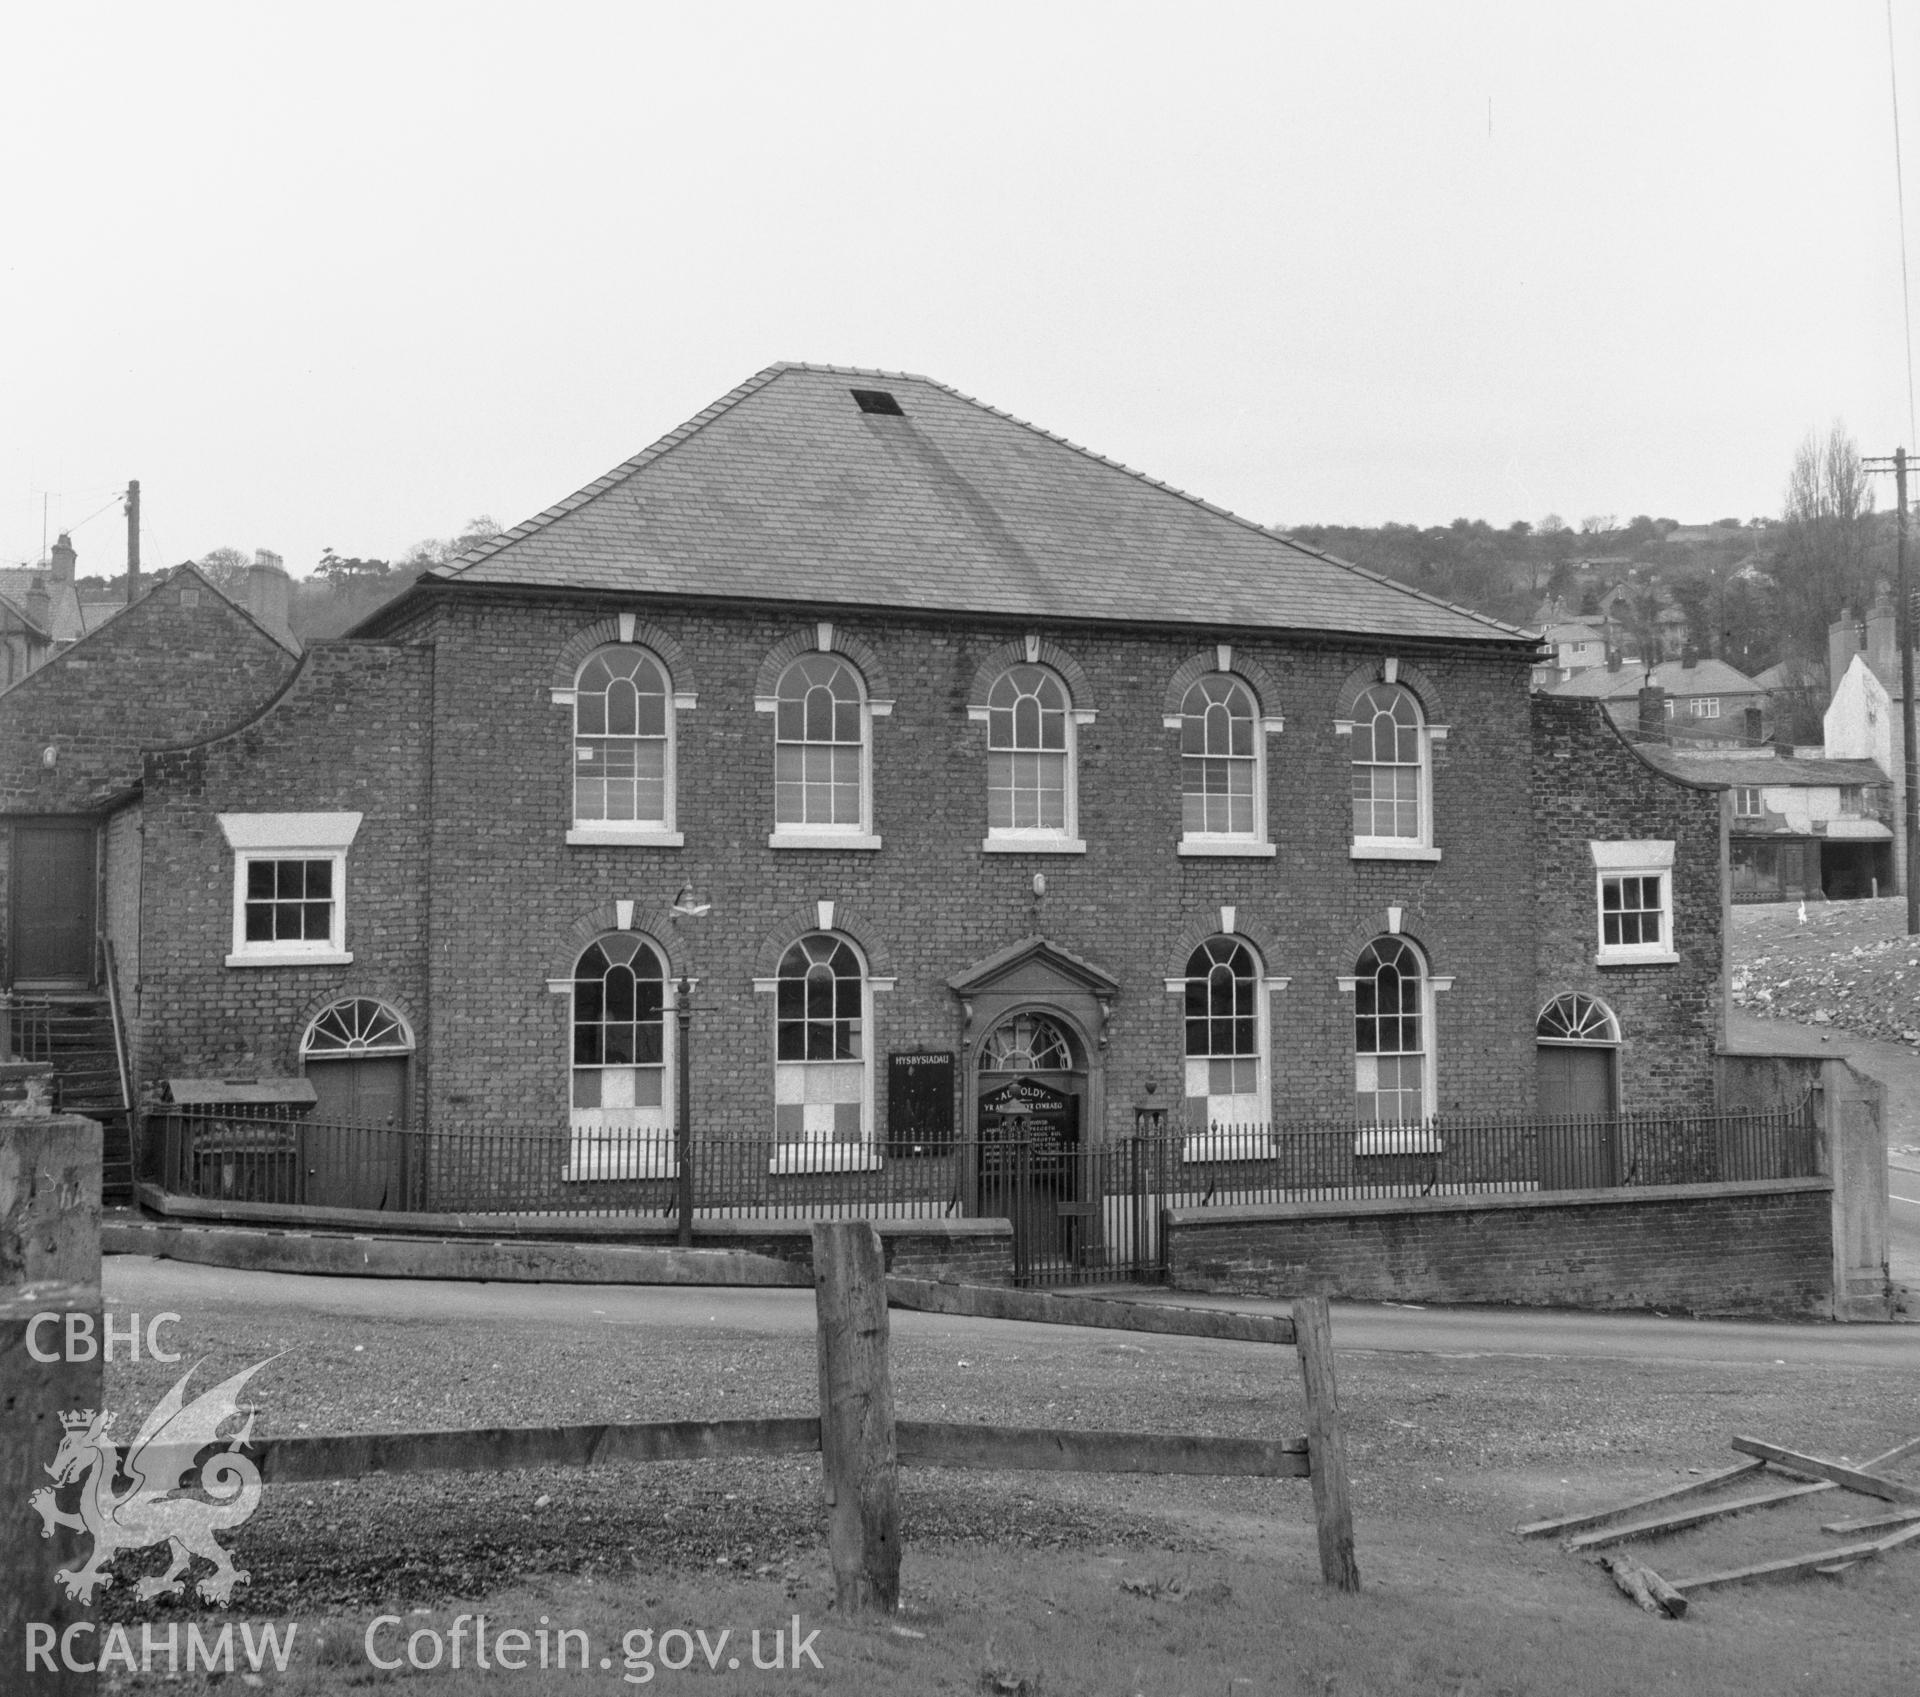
(348, 736)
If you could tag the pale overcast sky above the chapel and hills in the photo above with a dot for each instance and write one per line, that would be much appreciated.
(352, 275)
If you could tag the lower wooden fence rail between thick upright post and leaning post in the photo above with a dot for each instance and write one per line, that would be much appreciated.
(1049, 1450)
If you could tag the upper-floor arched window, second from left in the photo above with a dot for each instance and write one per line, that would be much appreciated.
(821, 750)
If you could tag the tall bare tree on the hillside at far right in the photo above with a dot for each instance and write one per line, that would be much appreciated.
(1823, 548)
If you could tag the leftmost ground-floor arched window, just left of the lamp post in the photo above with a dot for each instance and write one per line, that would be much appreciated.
(621, 1116)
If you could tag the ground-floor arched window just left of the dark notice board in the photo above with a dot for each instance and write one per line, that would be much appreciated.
(823, 1082)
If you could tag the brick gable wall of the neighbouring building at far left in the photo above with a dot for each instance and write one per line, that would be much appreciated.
(178, 665)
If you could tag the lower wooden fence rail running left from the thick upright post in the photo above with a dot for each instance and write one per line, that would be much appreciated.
(364, 1454)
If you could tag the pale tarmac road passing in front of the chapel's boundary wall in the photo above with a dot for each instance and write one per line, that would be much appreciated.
(149, 1285)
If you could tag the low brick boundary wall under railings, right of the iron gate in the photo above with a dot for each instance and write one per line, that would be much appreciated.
(1760, 1249)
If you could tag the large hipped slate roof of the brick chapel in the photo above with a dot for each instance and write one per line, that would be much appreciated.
(786, 490)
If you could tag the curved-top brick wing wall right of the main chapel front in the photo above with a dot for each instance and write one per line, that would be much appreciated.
(1591, 786)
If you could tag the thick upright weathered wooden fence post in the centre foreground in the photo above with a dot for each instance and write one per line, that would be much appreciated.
(857, 1441)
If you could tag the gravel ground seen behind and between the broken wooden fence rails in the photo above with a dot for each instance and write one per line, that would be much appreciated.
(1441, 1446)
